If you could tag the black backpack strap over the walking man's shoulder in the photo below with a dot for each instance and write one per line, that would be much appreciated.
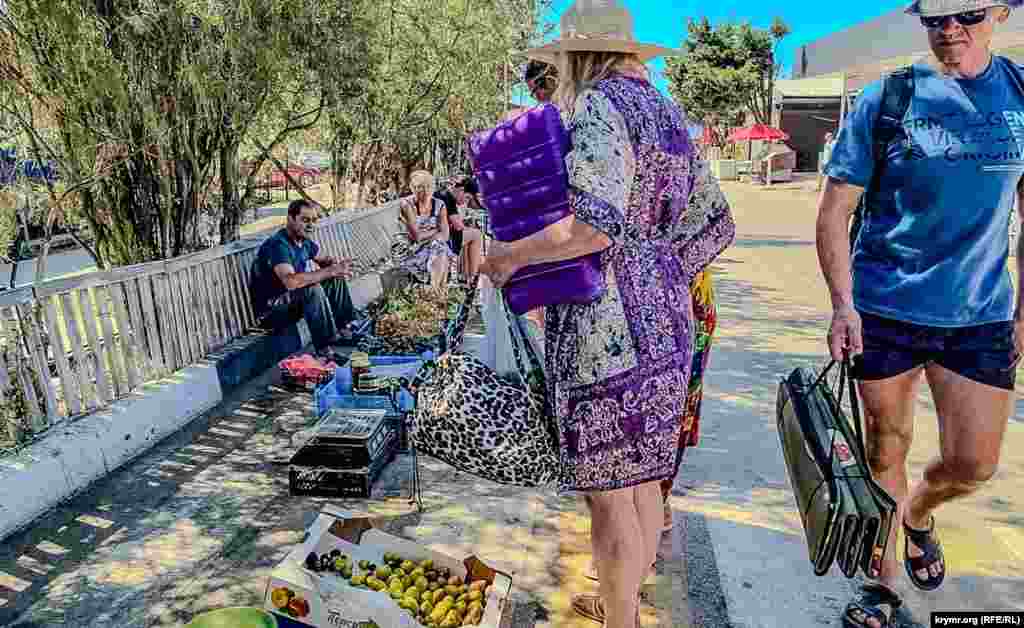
(898, 90)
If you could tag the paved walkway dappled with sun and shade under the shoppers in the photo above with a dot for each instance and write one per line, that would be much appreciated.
(198, 523)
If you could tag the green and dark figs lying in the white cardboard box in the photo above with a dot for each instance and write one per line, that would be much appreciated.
(434, 597)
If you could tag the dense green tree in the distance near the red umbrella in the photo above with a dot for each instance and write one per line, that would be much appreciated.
(726, 72)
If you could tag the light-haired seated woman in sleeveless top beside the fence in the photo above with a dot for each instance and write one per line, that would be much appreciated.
(423, 249)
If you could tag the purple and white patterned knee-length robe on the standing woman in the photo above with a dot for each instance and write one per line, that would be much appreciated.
(618, 369)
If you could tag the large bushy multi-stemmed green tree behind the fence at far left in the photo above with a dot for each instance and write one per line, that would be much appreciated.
(150, 103)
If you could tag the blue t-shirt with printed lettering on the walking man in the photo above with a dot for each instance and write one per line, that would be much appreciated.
(934, 244)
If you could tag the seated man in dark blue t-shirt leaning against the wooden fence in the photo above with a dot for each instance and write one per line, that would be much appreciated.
(286, 287)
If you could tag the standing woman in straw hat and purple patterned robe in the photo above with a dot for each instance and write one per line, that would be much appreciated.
(618, 369)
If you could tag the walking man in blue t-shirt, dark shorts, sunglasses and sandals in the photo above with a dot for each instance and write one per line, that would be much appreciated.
(928, 290)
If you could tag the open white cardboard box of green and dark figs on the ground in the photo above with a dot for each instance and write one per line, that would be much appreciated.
(350, 574)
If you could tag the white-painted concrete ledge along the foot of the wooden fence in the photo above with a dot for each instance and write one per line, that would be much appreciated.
(72, 456)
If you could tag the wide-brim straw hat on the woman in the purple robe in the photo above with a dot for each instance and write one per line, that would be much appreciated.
(599, 26)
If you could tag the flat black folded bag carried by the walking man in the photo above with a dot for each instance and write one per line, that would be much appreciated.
(846, 515)
